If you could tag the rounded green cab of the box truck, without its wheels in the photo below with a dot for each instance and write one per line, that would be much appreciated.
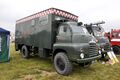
(76, 41)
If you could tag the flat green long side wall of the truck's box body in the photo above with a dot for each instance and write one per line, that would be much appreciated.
(35, 32)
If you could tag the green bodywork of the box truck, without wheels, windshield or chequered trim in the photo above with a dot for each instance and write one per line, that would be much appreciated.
(44, 33)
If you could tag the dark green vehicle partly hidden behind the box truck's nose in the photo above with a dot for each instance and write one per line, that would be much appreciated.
(97, 31)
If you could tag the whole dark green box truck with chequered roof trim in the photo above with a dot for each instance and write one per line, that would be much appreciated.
(56, 33)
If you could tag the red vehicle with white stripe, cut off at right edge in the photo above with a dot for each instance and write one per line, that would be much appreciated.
(114, 37)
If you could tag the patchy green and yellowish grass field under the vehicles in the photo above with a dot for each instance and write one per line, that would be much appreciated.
(42, 69)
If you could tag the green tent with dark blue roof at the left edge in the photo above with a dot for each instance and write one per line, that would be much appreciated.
(4, 45)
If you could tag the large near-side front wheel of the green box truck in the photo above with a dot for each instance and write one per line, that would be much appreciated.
(62, 64)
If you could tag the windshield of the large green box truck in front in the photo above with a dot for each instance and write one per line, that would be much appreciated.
(79, 30)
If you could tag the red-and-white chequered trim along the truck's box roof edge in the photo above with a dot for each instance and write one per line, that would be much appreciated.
(49, 11)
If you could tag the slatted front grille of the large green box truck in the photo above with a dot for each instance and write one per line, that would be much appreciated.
(93, 50)
